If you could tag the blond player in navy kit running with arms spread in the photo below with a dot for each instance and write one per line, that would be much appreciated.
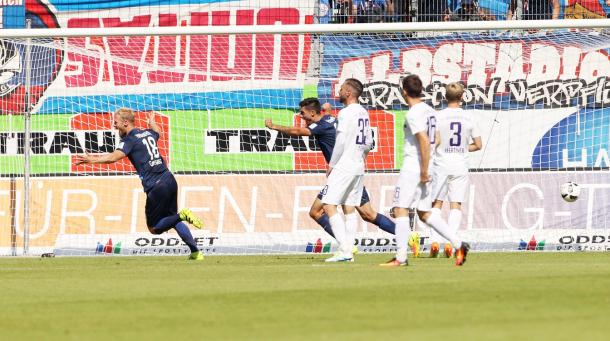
(140, 146)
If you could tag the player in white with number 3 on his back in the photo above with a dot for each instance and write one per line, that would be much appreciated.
(456, 130)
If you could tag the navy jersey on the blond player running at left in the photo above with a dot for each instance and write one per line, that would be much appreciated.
(141, 148)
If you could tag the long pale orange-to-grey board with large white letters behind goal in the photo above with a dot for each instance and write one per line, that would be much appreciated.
(521, 205)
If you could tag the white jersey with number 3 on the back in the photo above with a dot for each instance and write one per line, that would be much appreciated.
(456, 128)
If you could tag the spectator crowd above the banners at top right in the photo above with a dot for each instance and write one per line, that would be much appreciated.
(372, 11)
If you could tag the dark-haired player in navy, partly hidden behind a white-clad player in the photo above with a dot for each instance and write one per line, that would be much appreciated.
(322, 126)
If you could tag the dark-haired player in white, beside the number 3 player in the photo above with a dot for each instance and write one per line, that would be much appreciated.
(412, 186)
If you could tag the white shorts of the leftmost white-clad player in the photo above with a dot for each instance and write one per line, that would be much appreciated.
(343, 188)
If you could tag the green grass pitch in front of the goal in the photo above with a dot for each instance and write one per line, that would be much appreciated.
(509, 296)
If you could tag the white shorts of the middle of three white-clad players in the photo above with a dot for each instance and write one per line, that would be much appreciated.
(411, 193)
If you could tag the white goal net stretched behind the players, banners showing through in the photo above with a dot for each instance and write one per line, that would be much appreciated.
(539, 97)
